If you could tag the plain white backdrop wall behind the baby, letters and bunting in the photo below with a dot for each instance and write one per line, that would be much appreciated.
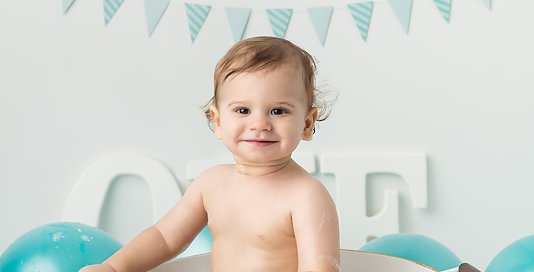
(73, 90)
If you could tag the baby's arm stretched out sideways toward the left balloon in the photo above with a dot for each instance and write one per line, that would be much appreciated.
(169, 237)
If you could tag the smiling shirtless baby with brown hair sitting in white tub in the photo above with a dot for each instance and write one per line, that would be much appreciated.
(265, 213)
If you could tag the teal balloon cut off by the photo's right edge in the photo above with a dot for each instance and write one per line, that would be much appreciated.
(517, 257)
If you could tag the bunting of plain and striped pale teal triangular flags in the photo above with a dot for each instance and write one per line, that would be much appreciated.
(279, 19)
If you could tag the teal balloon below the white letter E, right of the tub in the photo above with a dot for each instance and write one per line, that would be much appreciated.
(415, 247)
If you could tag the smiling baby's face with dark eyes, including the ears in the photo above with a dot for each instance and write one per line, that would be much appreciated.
(262, 116)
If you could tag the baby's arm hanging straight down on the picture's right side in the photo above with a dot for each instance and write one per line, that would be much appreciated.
(316, 228)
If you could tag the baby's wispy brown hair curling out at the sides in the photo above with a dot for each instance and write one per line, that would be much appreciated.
(266, 54)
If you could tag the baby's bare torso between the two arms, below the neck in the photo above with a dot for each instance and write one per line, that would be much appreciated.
(250, 221)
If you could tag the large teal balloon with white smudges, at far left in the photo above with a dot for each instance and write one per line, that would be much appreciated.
(58, 247)
